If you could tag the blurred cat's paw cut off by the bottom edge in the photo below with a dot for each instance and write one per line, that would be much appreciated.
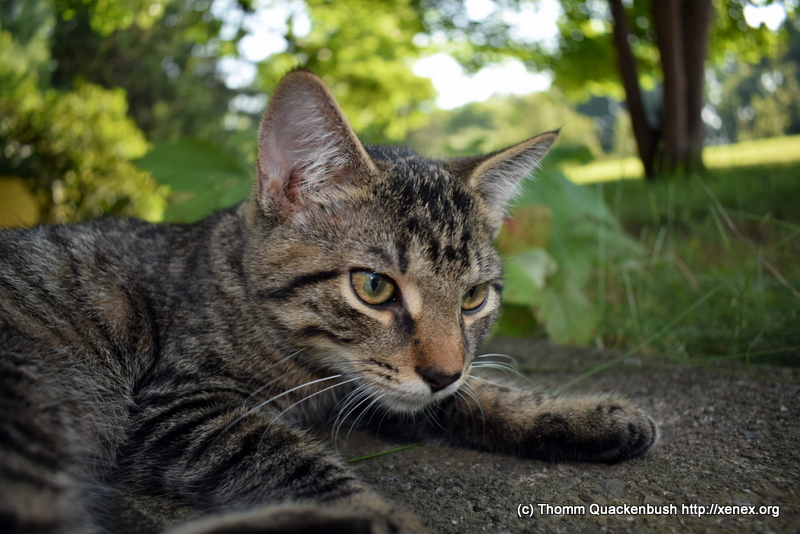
(305, 519)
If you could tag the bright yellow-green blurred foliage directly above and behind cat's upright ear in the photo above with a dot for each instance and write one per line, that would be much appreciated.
(364, 50)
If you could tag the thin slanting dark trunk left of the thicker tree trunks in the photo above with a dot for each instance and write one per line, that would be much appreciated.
(646, 136)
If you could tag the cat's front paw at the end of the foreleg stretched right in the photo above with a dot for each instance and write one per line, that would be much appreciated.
(596, 429)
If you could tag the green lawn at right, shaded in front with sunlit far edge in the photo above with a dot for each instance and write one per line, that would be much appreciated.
(721, 273)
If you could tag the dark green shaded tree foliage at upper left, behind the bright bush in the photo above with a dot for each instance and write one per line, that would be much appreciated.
(167, 61)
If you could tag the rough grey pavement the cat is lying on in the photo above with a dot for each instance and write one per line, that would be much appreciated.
(730, 437)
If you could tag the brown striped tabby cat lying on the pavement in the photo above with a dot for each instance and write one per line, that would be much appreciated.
(185, 361)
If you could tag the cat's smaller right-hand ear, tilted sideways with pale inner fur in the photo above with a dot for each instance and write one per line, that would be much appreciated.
(497, 177)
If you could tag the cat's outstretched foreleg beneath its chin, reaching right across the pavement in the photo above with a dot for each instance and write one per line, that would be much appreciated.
(535, 425)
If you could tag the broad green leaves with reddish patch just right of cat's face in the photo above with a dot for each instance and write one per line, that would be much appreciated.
(560, 234)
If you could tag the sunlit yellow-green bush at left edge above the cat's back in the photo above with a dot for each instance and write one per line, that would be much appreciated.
(72, 148)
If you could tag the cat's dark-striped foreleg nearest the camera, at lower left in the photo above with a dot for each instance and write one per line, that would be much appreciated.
(245, 471)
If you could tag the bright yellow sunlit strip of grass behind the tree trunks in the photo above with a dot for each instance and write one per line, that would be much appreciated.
(779, 150)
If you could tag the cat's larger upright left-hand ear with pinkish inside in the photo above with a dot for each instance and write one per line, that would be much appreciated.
(307, 152)
